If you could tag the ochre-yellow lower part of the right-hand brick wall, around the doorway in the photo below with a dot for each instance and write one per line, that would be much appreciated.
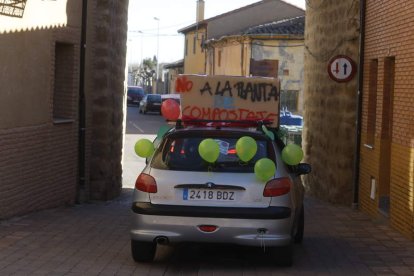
(401, 184)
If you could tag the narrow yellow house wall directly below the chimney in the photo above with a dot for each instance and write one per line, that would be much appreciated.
(194, 63)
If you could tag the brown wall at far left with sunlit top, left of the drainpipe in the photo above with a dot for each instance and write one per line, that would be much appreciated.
(38, 155)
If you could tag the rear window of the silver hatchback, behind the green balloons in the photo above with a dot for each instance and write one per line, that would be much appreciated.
(181, 153)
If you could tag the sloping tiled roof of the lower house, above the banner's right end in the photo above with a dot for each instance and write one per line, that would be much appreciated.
(292, 26)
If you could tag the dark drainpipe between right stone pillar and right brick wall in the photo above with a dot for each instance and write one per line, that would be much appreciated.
(362, 7)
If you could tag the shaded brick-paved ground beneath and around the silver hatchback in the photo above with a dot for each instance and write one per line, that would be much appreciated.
(93, 239)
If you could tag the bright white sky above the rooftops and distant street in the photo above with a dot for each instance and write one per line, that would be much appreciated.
(148, 36)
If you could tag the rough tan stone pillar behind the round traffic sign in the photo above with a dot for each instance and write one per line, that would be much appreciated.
(332, 28)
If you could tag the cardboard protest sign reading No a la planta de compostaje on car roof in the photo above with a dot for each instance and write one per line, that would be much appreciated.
(232, 98)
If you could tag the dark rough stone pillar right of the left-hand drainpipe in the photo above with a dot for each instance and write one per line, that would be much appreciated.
(105, 96)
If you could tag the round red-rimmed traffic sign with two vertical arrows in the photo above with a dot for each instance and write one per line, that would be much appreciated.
(341, 68)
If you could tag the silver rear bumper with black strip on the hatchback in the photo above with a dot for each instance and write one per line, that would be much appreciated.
(250, 231)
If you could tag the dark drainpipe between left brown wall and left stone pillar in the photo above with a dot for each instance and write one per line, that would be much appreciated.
(82, 118)
